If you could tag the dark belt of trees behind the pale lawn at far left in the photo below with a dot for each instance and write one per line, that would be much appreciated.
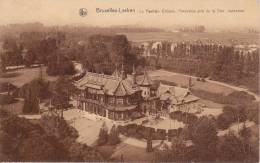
(37, 47)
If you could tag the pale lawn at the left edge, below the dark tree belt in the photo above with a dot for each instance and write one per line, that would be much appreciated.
(22, 76)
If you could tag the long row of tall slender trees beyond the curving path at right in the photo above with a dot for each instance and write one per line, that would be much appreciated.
(222, 63)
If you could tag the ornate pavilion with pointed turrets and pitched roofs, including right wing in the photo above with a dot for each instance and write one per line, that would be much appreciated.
(121, 97)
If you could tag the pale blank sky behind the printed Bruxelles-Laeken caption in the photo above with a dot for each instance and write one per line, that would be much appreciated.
(66, 12)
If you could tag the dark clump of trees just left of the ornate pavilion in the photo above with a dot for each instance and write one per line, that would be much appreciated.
(58, 92)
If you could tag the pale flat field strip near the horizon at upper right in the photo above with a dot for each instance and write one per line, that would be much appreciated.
(223, 37)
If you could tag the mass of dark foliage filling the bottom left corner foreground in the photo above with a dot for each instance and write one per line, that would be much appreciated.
(24, 141)
